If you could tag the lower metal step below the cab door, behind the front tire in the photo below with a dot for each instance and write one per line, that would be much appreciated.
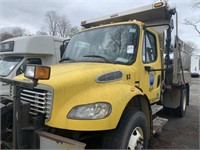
(158, 123)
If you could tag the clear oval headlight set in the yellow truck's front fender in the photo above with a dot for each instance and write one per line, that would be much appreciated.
(90, 111)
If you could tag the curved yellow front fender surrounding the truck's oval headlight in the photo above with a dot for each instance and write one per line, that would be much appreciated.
(117, 94)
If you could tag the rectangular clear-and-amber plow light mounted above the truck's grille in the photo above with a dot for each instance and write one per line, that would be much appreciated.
(37, 72)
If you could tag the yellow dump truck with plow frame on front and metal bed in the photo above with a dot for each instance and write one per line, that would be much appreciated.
(115, 75)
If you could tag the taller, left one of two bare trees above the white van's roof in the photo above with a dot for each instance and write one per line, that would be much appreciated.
(52, 20)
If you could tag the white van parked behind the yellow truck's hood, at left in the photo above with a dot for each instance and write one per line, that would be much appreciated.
(15, 53)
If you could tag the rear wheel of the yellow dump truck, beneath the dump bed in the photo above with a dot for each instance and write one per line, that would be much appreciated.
(181, 110)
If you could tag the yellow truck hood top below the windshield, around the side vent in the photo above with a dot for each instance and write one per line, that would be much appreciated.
(83, 75)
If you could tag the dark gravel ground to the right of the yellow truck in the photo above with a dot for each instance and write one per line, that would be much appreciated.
(181, 133)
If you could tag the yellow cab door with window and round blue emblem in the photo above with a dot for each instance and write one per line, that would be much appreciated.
(150, 80)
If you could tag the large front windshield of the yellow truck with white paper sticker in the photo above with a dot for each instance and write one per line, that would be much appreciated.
(113, 44)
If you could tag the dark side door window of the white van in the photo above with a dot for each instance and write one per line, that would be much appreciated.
(34, 61)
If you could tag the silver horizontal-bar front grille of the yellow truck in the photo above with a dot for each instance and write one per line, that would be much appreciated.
(40, 101)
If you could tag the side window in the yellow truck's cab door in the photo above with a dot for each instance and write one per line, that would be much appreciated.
(149, 52)
